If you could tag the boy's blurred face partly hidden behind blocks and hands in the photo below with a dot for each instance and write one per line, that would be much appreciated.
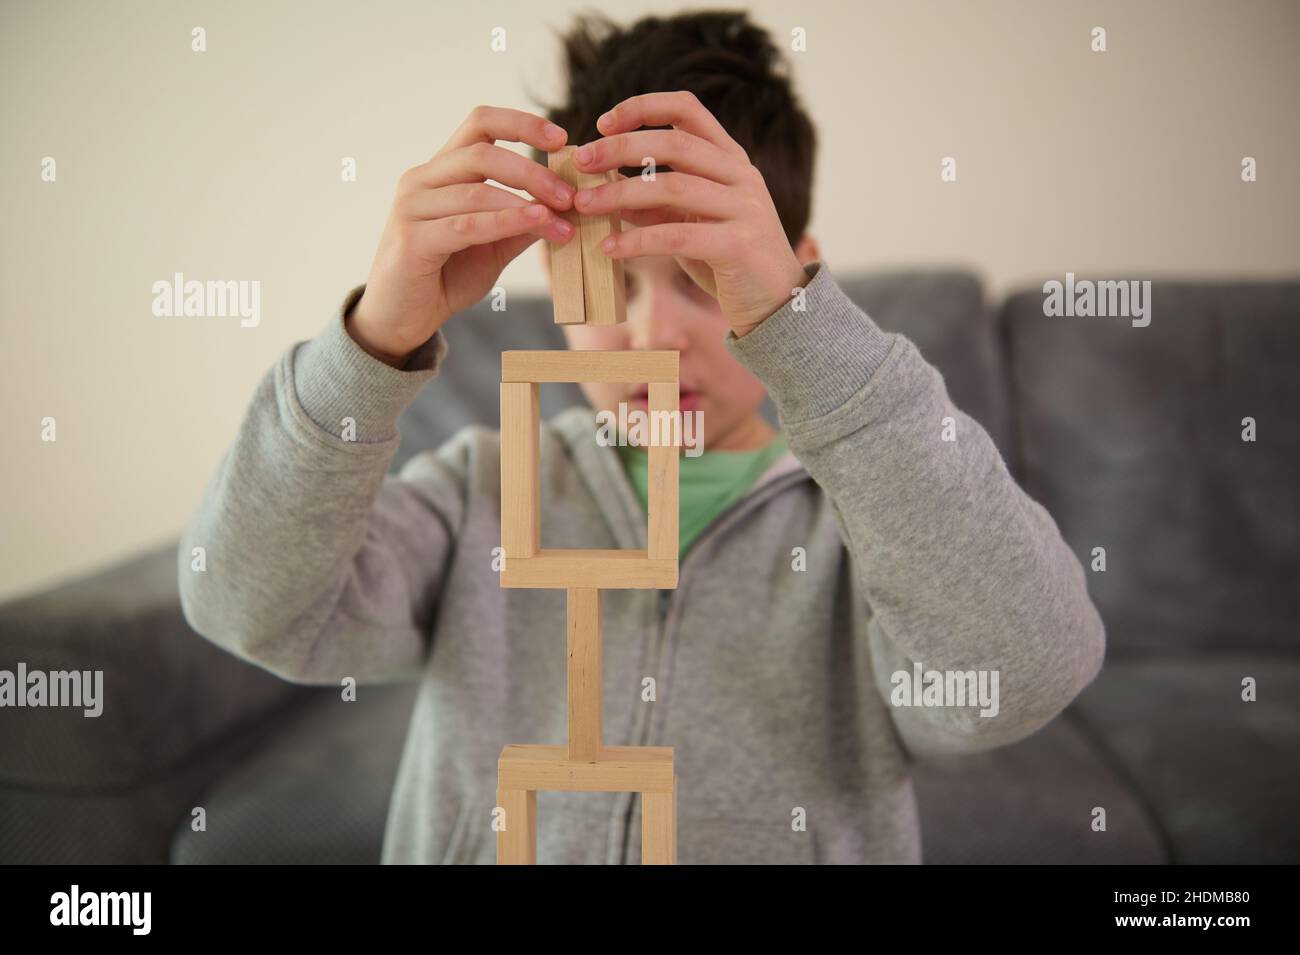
(669, 311)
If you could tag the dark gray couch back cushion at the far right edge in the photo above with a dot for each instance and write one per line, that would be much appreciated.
(1132, 439)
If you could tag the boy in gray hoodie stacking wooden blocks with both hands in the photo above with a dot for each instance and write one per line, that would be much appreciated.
(778, 675)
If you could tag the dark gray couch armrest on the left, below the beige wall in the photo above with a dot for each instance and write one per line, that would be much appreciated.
(170, 696)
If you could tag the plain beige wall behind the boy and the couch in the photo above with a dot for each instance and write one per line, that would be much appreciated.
(226, 166)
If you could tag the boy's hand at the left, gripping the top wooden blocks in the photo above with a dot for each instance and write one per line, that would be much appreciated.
(450, 233)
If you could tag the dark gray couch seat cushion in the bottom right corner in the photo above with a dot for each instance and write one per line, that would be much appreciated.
(1223, 775)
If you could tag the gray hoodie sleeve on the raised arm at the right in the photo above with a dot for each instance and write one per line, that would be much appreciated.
(961, 570)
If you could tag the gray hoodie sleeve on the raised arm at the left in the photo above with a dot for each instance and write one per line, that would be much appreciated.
(305, 557)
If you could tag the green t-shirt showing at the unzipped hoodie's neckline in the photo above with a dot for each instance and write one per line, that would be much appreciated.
(708, 484)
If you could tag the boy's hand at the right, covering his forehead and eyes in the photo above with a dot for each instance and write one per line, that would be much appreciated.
(713, 214)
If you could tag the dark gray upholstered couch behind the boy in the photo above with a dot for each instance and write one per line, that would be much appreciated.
(1130, 437)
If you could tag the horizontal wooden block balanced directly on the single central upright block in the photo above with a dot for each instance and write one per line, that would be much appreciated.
(605, 570)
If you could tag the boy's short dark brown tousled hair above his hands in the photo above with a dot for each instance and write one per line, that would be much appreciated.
(733, 67)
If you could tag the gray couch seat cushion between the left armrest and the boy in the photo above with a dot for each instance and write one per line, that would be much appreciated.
(317, 795)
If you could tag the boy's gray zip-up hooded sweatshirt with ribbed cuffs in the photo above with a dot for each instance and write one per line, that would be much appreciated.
(889, 552)
